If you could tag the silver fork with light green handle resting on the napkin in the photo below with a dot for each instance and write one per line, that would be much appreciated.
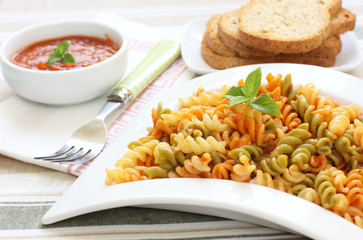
(88, 141)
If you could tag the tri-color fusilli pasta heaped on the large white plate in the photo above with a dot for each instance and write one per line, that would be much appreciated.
(313, 149)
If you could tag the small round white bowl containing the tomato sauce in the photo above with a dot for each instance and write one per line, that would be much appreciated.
(68, 86)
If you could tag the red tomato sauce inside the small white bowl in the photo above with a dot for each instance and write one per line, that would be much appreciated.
(85, 50)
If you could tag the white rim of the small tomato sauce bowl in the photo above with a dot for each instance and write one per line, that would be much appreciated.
(28, 30)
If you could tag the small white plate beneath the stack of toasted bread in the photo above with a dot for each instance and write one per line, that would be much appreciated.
(348, 59)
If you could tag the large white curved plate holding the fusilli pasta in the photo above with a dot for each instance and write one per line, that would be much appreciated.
(234, 200)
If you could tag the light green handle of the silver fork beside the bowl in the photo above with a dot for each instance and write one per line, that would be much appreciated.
(156, 61)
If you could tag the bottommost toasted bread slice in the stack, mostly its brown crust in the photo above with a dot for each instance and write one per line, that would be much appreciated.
(223, 62)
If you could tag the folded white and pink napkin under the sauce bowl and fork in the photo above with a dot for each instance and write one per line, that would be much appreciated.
(29, 129)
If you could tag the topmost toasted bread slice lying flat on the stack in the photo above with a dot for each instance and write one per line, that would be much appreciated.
(284, 26)
